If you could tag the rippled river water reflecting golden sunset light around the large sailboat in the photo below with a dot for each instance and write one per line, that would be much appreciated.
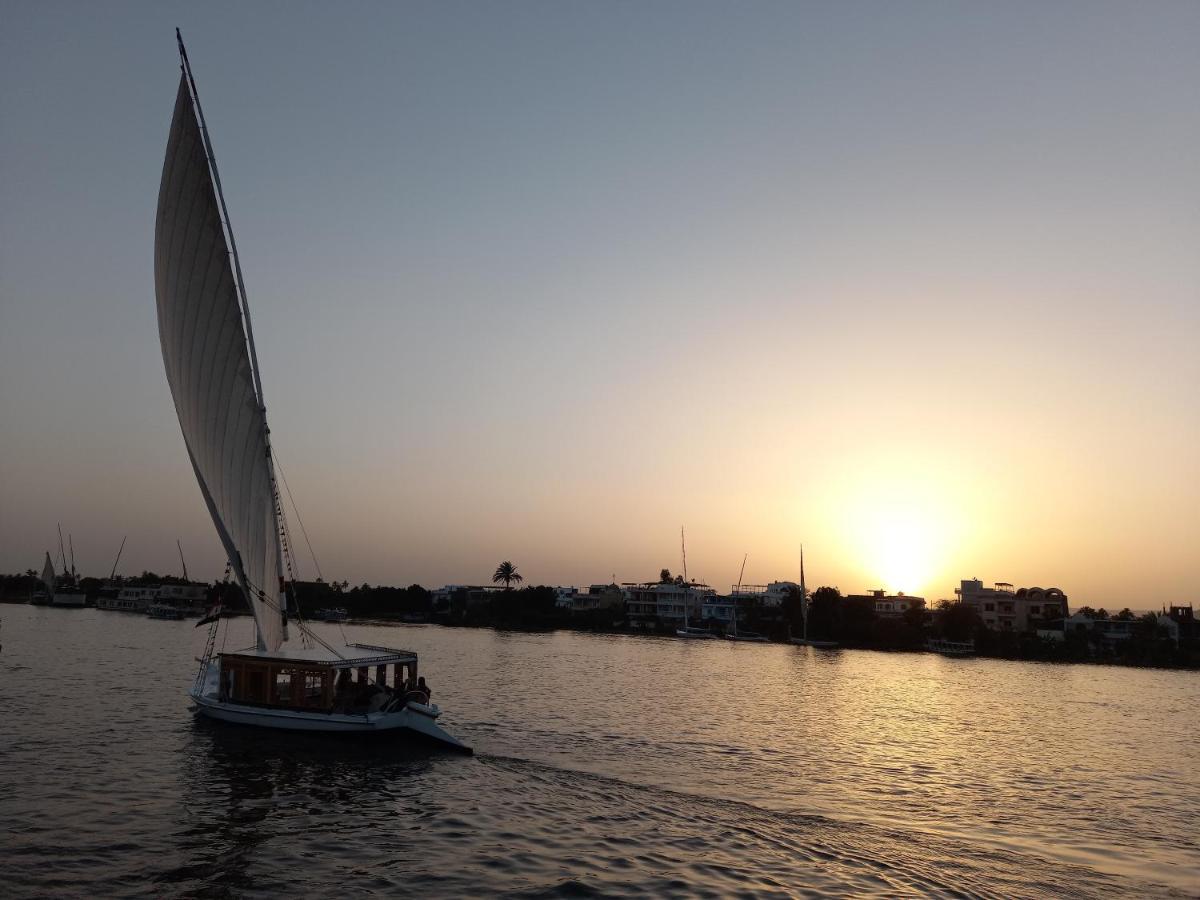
(605, 766)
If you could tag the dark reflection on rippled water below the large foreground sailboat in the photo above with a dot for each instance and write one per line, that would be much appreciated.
(260, 801)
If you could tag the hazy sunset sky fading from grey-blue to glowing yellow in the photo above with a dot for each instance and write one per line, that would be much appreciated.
(917, 285)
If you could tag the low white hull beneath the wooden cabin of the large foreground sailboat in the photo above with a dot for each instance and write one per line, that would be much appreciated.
(415, 718)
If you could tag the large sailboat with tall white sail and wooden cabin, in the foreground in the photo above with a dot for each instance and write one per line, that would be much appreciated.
(208, 350)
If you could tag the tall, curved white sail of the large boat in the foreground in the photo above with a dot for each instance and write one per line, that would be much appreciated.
(208, 367)
